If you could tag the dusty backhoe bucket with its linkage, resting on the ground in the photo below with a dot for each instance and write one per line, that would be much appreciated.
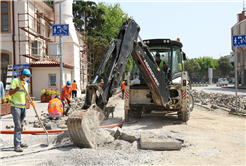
(82, 125)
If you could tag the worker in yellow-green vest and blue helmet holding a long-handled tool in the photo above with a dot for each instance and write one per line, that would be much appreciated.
(18, 106)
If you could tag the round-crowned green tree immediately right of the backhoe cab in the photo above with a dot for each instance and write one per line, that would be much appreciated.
(191, 66)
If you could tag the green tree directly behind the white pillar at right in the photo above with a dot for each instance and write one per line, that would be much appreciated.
(206, 62)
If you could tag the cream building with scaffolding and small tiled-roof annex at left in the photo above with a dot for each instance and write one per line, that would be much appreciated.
(25, 37)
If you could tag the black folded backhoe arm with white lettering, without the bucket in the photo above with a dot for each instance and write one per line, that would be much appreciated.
(121, 49)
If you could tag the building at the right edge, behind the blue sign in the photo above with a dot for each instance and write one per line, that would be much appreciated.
(240, 29)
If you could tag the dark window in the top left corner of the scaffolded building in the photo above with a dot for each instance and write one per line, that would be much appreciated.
(4, 16)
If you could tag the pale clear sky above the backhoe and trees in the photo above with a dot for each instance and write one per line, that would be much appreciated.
(203, 26)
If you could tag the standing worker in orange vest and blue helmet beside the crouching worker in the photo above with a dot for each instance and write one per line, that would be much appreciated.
(65, 96)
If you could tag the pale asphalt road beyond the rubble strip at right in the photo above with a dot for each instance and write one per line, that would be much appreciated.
(226, 90)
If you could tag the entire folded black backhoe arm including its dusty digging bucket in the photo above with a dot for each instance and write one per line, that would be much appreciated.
(82, 125)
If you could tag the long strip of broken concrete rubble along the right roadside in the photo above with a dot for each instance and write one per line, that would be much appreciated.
(221, 100)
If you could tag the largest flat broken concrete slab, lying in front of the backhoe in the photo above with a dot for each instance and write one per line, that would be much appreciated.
(154, 141)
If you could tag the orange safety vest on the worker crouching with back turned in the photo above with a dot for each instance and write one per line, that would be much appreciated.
(55, 107)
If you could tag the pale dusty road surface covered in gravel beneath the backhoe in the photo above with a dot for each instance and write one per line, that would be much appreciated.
(211, 138)
